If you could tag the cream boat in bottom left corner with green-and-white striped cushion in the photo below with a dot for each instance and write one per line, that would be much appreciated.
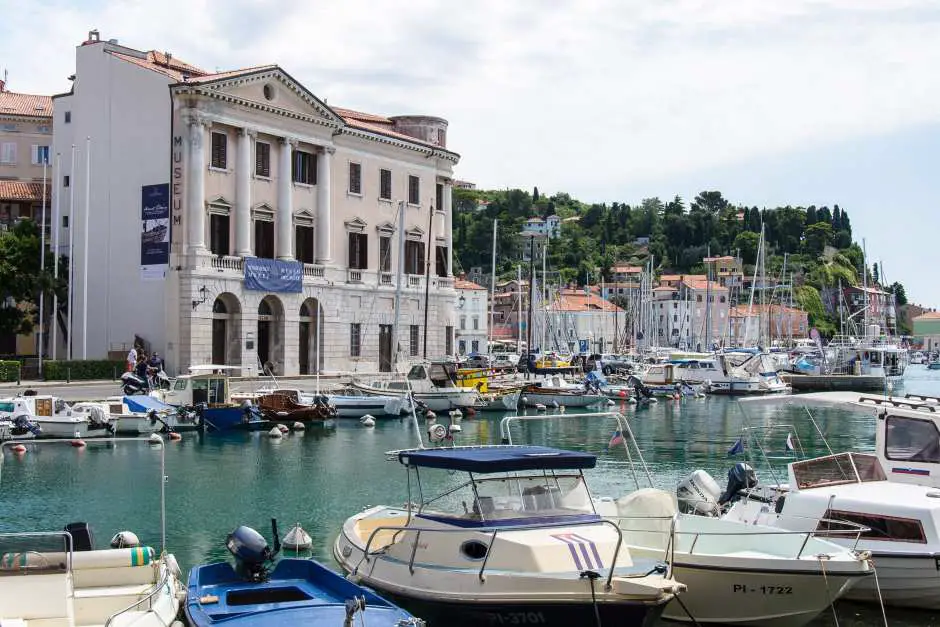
(63, 578)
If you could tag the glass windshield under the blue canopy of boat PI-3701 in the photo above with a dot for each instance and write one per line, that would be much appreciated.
(515, 498)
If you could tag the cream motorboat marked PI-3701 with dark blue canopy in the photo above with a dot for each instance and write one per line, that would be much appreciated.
(516, 539)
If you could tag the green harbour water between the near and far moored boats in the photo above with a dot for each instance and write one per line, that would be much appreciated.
(322, 477)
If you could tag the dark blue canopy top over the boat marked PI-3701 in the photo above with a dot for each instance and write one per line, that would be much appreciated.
(485, 459)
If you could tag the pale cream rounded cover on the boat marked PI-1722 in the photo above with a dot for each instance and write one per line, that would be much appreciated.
(645, 517)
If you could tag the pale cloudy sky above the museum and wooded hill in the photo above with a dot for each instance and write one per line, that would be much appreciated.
(798, 102)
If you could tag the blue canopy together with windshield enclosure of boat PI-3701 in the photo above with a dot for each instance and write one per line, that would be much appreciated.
(504, 485)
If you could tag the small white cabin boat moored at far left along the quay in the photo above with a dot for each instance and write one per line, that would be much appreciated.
(56, 419)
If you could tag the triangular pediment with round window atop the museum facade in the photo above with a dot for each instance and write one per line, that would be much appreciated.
(267, 87)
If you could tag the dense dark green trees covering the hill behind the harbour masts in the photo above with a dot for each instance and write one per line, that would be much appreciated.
(816, 242)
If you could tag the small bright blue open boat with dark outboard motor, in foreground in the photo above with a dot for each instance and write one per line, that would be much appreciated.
(294, 592)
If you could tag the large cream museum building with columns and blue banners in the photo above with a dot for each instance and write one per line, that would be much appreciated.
(235, 218)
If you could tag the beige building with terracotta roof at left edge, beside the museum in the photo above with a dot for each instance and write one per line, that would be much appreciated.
(25, 140)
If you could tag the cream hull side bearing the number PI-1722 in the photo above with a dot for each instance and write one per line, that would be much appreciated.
(773, 598)
